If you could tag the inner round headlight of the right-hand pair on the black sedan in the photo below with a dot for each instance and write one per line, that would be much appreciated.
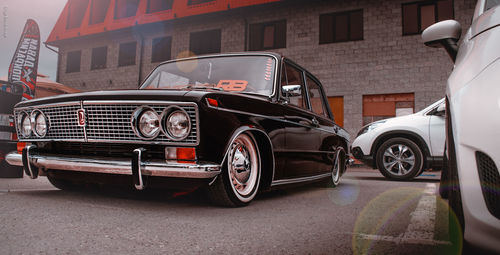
(147, 122)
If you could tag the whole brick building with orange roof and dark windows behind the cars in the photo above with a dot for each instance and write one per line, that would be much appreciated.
(368, 54)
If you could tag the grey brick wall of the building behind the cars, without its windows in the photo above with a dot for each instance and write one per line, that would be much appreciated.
(384, 62)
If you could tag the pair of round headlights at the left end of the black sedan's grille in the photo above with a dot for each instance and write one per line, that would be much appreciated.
(34, 123)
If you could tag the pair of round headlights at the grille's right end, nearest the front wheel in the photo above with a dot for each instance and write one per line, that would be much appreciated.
(174, 122)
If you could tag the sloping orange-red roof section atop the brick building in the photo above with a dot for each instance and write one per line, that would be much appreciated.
(87, 17)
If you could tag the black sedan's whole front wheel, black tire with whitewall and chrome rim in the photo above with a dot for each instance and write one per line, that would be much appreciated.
(239, 180)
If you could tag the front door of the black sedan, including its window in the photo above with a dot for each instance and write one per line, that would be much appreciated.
(302, 138)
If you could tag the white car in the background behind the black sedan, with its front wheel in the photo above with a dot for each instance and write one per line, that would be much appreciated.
(402, 147)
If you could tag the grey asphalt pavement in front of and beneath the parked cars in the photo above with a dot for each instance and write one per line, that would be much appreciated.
(365, 214)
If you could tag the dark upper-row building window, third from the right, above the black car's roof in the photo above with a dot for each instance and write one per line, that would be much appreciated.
(269, 35)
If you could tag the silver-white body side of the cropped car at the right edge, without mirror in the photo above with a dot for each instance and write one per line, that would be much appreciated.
(473, 93)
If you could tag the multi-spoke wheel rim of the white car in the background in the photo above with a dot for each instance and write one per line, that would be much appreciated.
(399, 159)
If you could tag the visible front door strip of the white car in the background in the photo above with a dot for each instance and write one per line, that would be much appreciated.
(437, 134)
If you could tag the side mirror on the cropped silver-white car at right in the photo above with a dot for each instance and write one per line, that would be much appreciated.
(443, 34)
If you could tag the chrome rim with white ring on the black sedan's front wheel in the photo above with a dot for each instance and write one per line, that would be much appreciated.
(243, 165)
